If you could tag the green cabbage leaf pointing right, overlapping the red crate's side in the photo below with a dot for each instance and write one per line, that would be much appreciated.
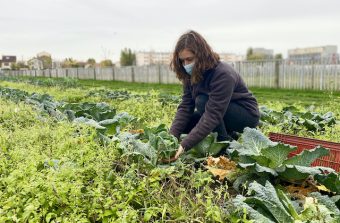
(307, 157)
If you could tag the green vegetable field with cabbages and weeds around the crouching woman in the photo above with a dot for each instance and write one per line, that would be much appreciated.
(96, 151)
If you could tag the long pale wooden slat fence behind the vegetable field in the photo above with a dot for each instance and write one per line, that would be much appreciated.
(318, 75)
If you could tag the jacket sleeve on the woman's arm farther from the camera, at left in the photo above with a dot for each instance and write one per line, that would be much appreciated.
(184, 111)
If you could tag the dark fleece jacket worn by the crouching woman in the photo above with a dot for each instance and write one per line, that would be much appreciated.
(222, 84)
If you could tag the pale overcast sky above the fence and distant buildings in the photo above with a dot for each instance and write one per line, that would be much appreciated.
(101, 28)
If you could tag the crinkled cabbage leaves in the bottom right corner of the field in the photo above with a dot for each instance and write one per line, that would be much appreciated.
(266, 204)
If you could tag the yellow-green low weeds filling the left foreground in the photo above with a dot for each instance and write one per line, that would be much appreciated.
(61, 174)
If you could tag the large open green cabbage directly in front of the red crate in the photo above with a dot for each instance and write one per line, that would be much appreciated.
(262, 157)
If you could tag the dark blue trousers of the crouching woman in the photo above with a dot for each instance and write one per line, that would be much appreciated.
(235, 119)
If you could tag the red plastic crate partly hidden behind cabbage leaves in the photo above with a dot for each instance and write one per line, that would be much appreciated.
(302, 143)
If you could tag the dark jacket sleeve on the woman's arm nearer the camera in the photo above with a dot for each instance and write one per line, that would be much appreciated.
(221, 87)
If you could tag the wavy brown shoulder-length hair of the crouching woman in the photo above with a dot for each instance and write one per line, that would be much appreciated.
(205, 57)
